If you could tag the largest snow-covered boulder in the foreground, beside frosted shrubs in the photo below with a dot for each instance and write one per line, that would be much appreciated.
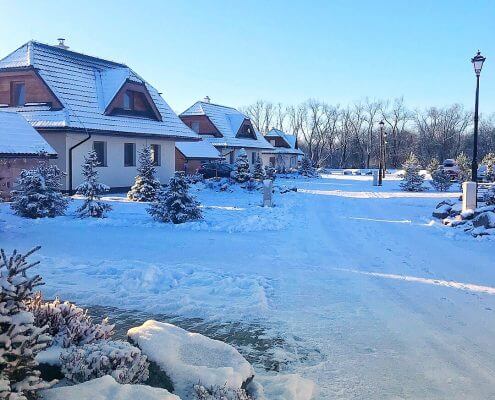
(189, 358)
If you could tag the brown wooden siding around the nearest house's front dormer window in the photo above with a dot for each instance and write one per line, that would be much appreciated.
(143, 103)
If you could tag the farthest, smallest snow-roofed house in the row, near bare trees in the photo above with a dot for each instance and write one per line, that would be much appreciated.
(285, 152)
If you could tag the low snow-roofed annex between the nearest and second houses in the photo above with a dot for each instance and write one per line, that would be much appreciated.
(189, 156)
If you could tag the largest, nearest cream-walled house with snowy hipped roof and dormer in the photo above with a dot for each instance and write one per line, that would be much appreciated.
(79, 103)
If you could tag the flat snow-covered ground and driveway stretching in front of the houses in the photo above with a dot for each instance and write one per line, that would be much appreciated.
(373, 300)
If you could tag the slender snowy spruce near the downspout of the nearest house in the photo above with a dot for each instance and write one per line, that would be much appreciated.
(91, 189)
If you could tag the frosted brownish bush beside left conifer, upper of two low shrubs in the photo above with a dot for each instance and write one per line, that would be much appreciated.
(68, 324)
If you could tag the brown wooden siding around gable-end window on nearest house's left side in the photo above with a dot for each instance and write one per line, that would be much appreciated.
(36, 89)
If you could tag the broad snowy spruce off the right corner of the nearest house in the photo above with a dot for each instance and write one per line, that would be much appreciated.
(175, 204)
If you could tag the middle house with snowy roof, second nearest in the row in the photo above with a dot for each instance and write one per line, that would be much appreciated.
(226, 128)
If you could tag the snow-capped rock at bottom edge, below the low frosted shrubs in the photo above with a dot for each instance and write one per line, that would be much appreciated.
(106, 388)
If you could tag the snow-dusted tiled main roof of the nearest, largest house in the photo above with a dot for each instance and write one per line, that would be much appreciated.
(84, 85)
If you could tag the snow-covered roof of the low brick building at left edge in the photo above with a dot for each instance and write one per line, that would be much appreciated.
(17, 136)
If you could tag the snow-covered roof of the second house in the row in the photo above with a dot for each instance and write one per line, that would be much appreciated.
(228, 121)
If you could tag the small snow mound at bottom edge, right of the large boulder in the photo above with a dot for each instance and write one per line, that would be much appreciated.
(282, 387)
